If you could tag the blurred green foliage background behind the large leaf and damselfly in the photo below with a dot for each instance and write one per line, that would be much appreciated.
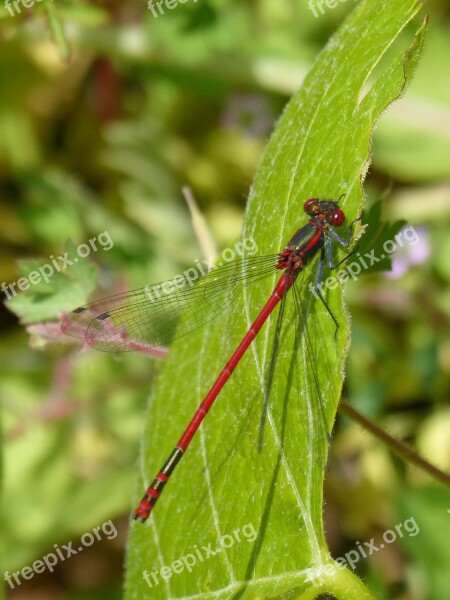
(105, 111)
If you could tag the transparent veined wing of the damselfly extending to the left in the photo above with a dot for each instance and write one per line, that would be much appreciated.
(156, 314)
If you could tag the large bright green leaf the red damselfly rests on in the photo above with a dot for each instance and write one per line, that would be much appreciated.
(268, 504)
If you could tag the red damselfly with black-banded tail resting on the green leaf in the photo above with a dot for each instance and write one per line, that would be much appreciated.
(154, 315)
